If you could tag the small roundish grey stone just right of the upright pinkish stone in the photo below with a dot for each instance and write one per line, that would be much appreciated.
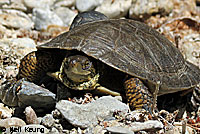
(48, 120)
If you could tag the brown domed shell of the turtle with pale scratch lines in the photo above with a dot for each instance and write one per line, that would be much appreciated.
(133, 48)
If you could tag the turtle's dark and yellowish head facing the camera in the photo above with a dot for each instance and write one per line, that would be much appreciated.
(78, 68)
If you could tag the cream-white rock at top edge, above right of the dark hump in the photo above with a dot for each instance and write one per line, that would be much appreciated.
(114, 9)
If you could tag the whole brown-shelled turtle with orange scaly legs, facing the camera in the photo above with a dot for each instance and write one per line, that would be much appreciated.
(116, 56)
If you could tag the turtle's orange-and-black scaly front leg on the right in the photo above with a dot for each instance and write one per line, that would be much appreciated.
(137, 95)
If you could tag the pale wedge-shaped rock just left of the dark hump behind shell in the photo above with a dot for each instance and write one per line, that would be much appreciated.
(66, 15)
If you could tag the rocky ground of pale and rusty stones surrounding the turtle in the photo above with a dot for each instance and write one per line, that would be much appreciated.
(24, 24)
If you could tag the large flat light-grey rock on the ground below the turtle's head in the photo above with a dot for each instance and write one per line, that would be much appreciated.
(90, 113)
